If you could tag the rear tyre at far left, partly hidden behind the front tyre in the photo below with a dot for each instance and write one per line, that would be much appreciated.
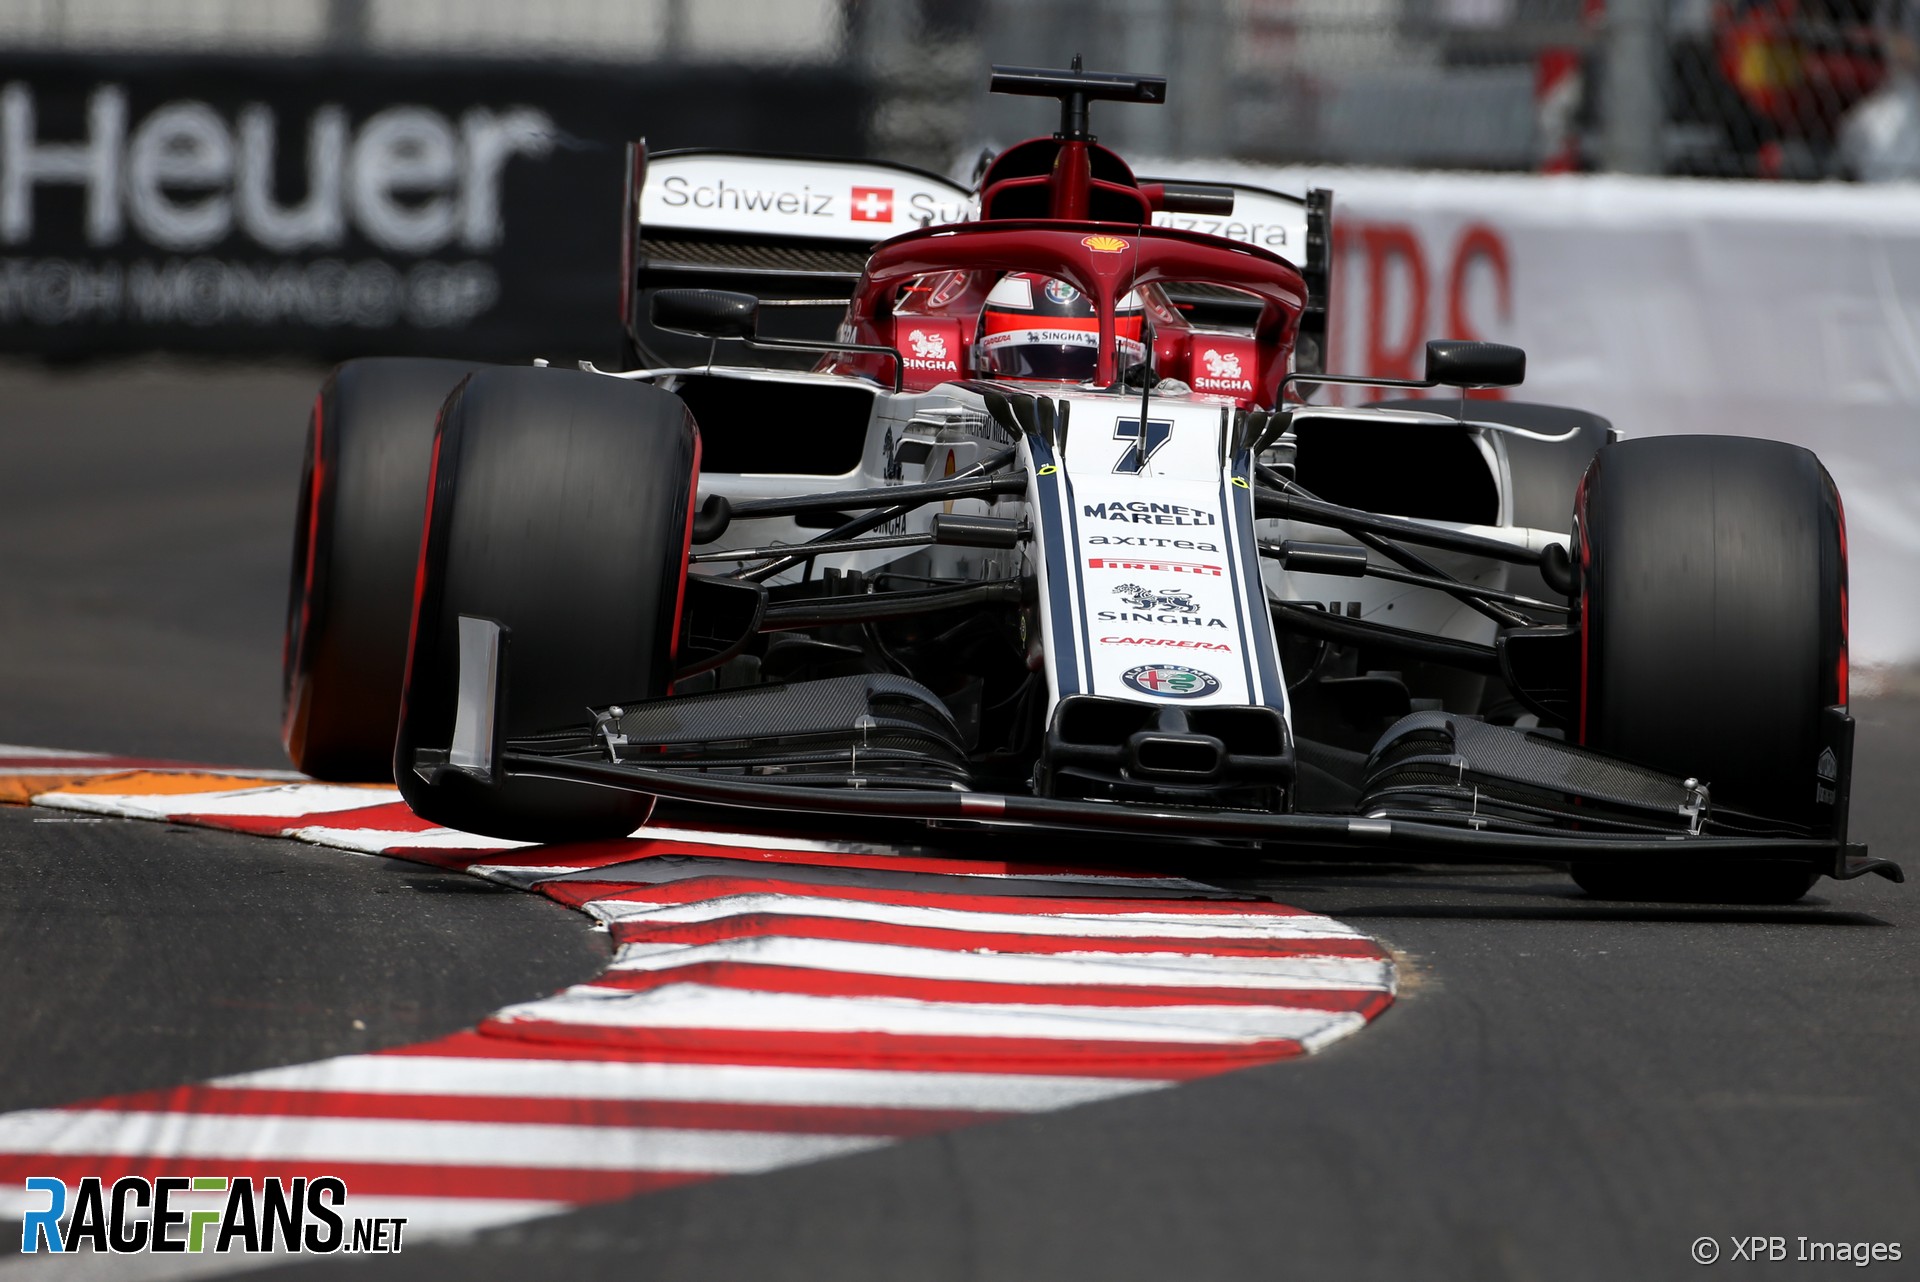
(356, 546)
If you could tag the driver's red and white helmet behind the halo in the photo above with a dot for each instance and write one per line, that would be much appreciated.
(1042, 327)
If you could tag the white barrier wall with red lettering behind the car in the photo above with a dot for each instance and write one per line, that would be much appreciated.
(1668, 306)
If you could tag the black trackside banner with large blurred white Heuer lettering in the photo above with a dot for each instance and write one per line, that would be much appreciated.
(350, 208)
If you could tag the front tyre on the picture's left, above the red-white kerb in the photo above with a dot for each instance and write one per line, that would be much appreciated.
(560, 508)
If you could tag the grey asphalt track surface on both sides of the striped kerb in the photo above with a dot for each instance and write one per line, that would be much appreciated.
(1568, 1089)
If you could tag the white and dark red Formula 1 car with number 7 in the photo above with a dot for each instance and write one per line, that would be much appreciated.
(1022, 517)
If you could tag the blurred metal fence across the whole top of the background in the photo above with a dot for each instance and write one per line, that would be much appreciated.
(1767, 89)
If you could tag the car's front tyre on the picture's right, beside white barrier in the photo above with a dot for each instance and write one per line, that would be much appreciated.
(1714, 627)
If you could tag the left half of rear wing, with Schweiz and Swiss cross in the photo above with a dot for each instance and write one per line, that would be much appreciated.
(792, 229)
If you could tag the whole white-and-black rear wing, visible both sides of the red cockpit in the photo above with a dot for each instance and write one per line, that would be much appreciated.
(798, 231)
